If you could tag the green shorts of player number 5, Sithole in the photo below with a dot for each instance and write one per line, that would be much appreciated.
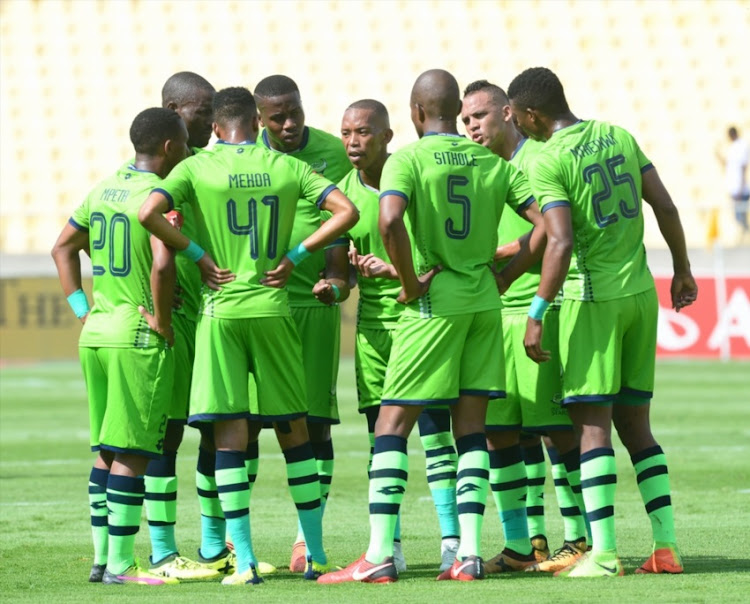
(434, 360)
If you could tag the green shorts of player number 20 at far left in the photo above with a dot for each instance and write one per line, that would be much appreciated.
(129, 390)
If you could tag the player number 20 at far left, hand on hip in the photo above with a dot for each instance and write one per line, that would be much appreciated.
(127, 361)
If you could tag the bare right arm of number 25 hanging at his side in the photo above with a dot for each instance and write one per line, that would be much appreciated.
(684, 290)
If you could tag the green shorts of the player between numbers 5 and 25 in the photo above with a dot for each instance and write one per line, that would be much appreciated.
(533, 391)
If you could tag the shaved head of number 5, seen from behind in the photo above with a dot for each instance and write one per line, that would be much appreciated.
(435, 97)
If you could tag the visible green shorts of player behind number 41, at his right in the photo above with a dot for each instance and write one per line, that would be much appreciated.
(319, 329)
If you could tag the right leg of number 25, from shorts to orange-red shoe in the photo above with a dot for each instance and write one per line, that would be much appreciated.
(632, 421)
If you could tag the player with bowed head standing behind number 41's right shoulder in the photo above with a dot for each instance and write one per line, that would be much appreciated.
(313, 301)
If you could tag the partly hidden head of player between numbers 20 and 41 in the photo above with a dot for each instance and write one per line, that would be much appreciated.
(191, 96)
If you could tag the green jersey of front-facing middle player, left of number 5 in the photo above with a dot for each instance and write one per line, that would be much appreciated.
(377, 307)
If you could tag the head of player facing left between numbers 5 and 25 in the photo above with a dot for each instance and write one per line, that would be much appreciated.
(486, 115)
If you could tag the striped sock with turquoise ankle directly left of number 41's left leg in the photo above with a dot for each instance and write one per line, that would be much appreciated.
(213, 525)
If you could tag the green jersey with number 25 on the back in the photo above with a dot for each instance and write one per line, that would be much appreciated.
(595, 168)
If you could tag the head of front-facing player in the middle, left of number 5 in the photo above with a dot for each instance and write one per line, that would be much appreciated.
(366, 132)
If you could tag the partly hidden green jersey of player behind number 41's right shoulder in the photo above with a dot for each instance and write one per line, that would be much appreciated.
(325, 154)
